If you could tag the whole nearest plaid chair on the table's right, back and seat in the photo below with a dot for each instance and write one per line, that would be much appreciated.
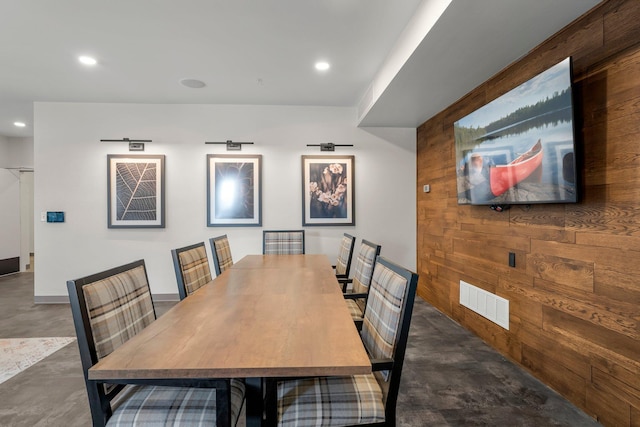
(359, 399)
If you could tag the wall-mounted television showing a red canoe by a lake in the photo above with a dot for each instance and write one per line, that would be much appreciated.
(520, 148)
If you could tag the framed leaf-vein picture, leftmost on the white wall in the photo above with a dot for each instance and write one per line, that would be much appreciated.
(135, 191)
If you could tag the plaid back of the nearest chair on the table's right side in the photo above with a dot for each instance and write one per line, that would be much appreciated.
(385, 328)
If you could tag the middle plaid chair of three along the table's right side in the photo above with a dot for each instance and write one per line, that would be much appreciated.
(356, 297)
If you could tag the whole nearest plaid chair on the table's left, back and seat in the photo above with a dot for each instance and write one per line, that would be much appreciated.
(111, 307)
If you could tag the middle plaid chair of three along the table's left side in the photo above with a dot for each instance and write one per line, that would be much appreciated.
(192, 268)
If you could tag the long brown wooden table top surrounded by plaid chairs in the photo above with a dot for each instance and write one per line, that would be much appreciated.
(273, 315)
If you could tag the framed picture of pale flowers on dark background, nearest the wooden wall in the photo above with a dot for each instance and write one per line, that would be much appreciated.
(328, 196)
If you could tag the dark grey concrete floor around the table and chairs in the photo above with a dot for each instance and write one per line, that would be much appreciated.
(450, 377)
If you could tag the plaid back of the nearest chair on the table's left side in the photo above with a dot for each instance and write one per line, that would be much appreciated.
(108, 309)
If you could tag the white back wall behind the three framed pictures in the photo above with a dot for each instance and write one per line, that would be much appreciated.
(71, 174)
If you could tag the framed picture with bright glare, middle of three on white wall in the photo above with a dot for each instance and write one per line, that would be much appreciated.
(234, 190)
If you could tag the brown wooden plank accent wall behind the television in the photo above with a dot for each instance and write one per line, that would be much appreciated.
(575, 290)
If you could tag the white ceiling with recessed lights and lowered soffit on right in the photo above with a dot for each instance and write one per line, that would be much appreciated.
(261, 52)
